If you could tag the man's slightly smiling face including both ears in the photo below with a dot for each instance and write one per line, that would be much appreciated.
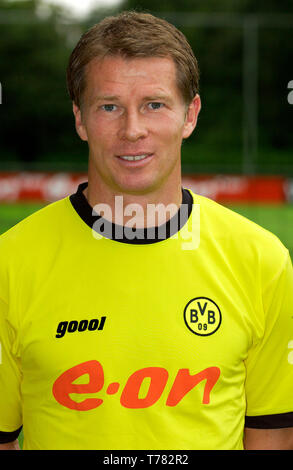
(134, 119)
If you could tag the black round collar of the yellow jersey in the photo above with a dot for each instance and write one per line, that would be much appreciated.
(126, 234)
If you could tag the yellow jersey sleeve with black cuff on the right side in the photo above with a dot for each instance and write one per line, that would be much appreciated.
(269, 366)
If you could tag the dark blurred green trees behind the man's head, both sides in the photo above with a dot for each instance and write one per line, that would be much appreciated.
(36, 121)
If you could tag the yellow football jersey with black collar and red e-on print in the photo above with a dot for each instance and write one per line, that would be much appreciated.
(133, 342)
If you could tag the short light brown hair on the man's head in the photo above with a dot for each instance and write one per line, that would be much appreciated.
(132, 34)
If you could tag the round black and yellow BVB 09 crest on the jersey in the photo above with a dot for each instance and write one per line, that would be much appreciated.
(202, 316)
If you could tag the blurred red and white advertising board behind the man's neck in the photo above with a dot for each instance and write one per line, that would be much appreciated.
(49, 187)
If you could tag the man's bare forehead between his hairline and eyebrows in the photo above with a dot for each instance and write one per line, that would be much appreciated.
(113, 75)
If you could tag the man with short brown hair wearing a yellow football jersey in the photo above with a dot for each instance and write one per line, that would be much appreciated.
(167, 329)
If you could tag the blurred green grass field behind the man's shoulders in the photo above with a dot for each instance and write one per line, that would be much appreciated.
(277, 219)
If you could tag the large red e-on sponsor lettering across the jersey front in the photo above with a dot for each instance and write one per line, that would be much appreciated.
(184, 382)
